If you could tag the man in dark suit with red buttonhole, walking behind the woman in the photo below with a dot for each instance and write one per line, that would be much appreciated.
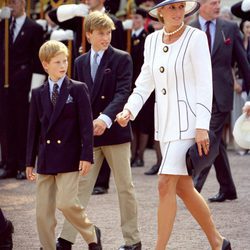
(226, 46)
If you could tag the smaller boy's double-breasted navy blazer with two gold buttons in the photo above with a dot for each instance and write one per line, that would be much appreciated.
(62, 136)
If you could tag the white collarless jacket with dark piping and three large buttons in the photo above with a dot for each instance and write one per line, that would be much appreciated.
(181, 75)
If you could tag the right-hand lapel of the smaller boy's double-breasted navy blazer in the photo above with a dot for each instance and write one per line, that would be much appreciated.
(63, 95)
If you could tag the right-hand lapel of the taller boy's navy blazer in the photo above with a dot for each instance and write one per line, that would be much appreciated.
(101, 71)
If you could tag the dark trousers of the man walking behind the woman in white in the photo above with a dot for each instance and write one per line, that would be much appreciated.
(221, 163)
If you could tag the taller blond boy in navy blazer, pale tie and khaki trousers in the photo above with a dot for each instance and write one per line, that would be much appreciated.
(108, 73)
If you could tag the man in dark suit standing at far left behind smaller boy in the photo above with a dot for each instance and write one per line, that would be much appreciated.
(24, 70)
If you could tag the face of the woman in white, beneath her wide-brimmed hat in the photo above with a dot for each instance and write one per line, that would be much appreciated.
(173, 14)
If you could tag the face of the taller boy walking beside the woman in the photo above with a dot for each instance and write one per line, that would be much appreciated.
(99, 39)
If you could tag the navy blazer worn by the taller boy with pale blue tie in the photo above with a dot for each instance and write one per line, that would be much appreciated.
(109, 92)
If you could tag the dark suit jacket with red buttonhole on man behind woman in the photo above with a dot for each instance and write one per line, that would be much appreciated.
(228, 48)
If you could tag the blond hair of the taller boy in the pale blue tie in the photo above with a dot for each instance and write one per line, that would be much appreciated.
(97, 20)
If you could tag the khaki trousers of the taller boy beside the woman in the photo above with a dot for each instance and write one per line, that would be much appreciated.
(118, 158)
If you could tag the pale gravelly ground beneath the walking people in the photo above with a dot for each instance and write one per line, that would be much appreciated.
(231, 217)
